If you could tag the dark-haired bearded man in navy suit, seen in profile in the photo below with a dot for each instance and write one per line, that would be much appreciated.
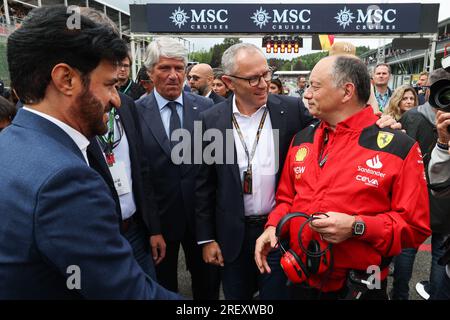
(59, 233)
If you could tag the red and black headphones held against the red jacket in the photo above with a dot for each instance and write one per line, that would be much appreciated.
(295, 269)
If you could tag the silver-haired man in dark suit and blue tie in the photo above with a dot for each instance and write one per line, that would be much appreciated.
(165, 113)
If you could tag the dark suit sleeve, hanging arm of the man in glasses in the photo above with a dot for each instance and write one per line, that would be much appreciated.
(205, 197)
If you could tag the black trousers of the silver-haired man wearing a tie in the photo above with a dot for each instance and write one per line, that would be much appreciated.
(205, 277)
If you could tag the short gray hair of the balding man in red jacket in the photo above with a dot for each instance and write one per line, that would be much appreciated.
(351, 69)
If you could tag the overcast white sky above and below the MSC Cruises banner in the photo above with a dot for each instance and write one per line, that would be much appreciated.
(206, 43)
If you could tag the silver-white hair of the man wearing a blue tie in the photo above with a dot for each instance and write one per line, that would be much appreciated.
(164, 47)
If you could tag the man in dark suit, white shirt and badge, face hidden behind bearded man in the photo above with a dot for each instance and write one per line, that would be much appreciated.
(136, 207)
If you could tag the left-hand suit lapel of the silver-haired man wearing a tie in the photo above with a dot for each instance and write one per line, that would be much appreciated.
(152, 119)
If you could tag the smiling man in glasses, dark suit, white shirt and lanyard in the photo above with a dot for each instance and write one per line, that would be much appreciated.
(229, 218)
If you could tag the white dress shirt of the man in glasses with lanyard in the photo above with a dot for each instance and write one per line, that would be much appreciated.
(262, 199)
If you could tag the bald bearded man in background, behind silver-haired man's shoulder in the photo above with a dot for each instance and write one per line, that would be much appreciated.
(200, 79)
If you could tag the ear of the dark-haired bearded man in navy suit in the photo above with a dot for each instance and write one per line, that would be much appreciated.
(66, 79)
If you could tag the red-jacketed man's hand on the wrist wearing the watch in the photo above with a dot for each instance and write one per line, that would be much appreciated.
(335, 228)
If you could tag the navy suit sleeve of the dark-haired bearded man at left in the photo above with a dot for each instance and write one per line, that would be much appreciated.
(83, 231)
